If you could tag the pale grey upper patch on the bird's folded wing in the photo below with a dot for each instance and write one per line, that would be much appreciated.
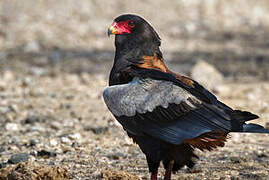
(143, 95)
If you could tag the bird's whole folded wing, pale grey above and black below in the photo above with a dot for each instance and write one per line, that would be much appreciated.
(165, 111)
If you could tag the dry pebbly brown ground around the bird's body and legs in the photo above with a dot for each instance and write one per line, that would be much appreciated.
(64, 114)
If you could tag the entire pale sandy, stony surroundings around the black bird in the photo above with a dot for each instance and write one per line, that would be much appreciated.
(55, 58)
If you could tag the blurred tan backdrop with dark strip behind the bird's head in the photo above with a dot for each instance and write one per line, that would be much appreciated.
(233, 35)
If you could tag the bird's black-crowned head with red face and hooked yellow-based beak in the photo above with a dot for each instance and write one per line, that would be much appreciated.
(132, 28)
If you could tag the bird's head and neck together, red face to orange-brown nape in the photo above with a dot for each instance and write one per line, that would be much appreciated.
(137, 46)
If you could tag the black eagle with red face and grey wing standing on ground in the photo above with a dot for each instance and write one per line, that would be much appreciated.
(167, 114)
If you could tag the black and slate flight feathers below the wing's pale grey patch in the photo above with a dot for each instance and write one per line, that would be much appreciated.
(174, 125)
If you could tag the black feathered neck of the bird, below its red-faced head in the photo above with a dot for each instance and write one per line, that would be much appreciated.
(129, 51)
